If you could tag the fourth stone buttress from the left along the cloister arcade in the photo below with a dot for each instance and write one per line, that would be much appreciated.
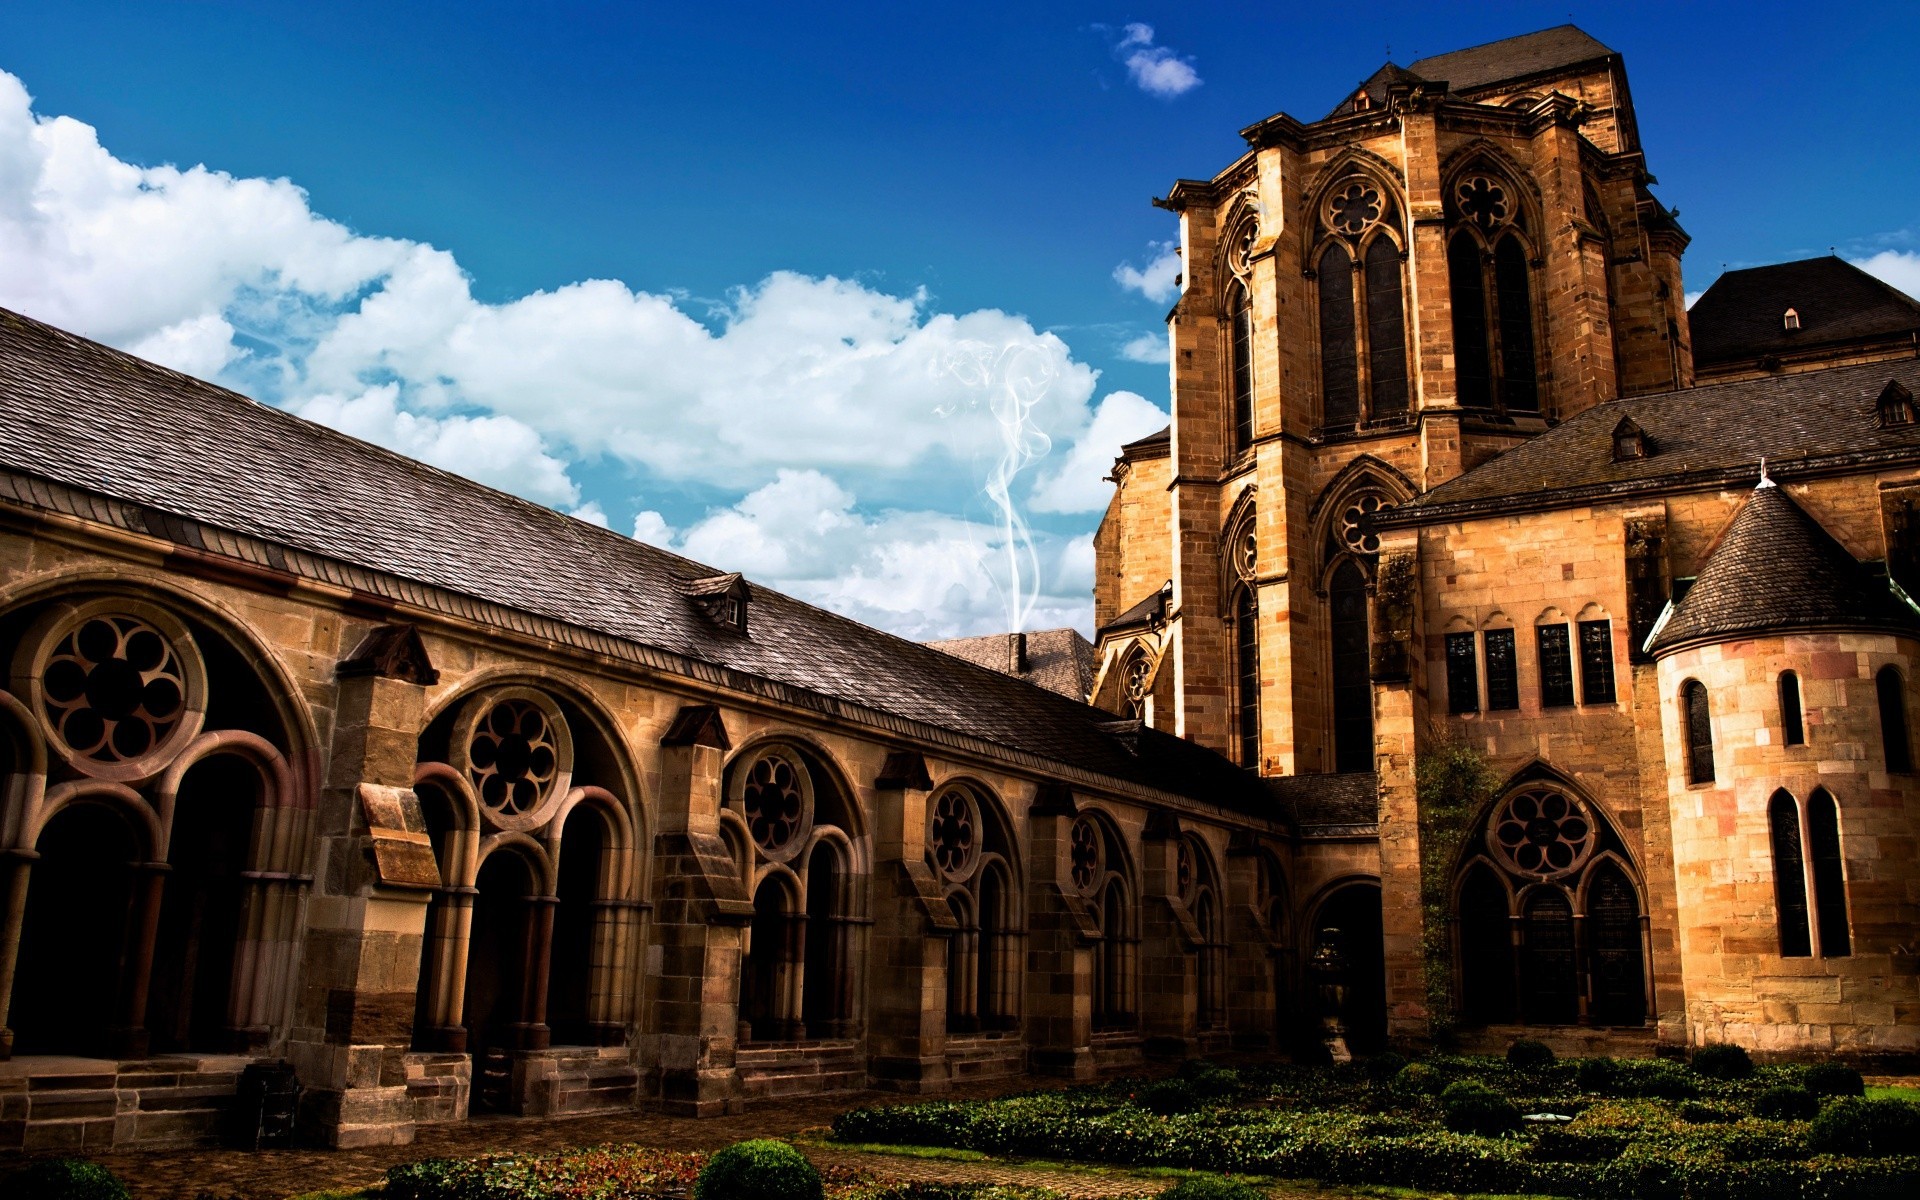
(1061, 936)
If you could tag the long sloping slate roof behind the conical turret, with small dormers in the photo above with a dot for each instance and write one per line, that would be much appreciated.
(1698, 437)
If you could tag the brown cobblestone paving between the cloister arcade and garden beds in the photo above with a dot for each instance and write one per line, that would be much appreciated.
(279, 1174)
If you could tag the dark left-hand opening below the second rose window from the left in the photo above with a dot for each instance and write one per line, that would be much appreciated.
(498, 974)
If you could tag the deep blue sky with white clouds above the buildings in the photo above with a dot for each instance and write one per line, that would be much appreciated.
(834, 239)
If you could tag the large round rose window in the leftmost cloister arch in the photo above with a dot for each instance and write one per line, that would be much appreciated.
(114, 690)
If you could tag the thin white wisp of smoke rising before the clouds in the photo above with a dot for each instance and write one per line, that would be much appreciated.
(1015, 379)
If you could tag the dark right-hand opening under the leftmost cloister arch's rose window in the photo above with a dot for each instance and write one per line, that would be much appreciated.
(203, 909)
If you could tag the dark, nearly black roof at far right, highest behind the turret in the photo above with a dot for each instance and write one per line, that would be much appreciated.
(1742, 314)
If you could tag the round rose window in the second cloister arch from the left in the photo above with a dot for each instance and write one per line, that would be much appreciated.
(516, 750)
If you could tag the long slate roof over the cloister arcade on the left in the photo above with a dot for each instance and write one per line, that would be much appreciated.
(281, 498)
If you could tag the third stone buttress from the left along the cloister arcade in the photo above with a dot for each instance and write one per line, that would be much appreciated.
(913, 934)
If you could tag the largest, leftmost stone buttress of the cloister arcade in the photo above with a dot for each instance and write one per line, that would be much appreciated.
(368, 917)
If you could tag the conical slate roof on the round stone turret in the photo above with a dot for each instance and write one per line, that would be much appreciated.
(1777, 571)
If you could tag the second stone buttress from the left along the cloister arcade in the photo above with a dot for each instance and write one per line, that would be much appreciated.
(702, 915)
